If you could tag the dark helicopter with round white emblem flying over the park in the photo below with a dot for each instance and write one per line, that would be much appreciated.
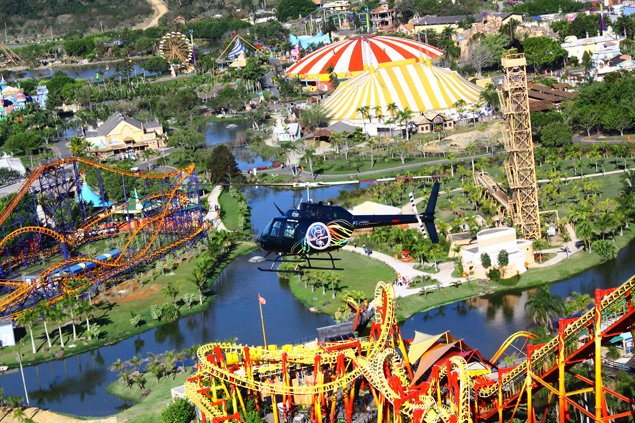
(318, 228)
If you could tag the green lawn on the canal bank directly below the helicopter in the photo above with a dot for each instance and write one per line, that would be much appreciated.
(360, 274)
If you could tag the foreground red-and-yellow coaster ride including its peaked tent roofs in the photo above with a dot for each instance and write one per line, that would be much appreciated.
(428, 379)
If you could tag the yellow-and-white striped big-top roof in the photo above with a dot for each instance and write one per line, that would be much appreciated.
(409, 84)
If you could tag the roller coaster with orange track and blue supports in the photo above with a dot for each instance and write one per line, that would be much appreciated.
(44, 222)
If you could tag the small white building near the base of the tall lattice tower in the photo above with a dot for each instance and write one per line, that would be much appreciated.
(491, 242)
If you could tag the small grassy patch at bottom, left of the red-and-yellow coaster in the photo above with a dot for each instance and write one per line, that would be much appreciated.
(149, 409)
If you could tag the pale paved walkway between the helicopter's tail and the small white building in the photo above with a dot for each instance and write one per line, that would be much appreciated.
(407, 269)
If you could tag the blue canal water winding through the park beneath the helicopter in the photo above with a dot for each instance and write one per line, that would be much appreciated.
(78, 384)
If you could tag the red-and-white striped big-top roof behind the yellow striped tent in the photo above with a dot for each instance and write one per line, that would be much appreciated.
(348, 57)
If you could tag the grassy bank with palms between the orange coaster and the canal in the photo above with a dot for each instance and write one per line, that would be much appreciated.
(114, 314)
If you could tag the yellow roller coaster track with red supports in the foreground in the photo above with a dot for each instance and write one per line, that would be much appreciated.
(305, 375)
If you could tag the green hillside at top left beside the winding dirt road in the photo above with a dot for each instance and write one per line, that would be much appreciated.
(35, 18)
